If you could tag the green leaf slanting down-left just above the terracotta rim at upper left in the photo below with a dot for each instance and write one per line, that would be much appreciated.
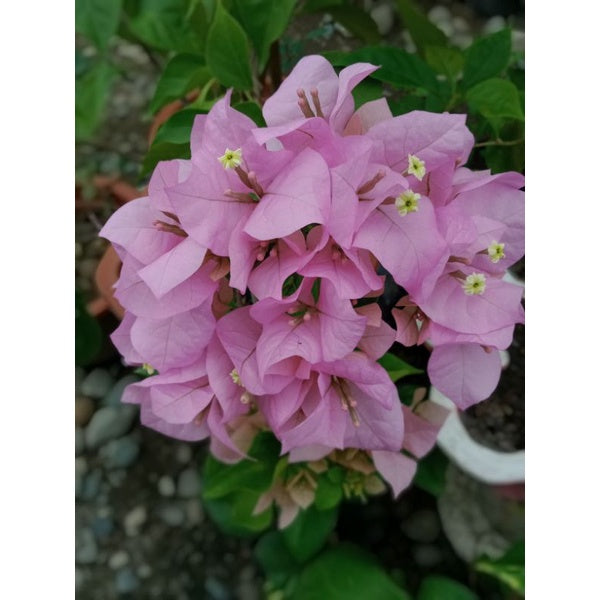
(183, 73)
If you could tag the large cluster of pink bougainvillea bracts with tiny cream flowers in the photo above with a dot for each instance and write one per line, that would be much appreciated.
(251, 274)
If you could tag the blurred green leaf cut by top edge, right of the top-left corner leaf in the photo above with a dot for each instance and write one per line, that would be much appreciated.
(170, 25)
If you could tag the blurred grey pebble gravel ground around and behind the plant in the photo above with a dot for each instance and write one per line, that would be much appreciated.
(140, 528)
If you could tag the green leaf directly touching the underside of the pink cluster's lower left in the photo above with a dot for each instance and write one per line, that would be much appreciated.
(221, 479)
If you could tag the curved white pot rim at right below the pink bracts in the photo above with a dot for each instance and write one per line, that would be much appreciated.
(483, 463)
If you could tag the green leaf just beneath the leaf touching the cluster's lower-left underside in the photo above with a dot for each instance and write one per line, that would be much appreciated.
(234, 513)
